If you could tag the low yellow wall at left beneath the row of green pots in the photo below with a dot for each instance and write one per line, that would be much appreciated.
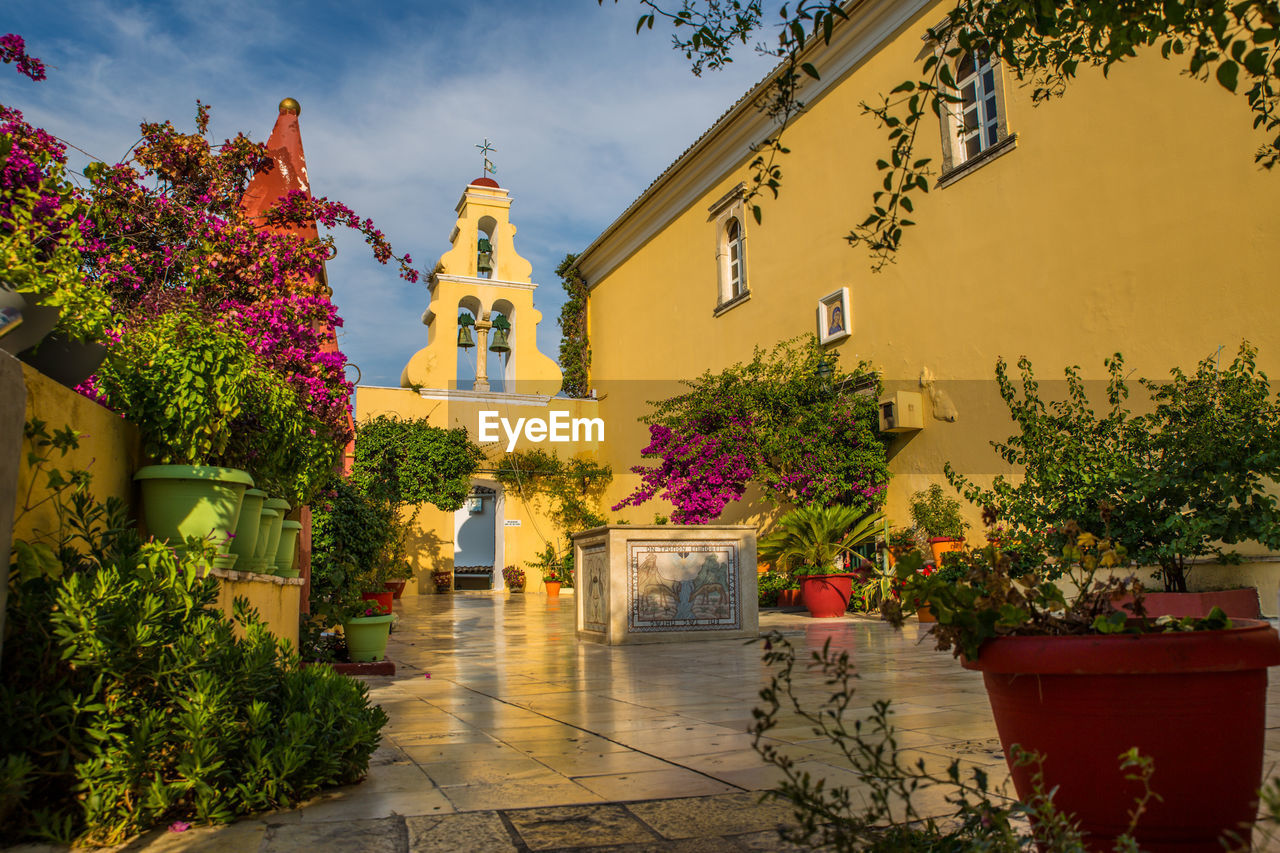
(109, 449)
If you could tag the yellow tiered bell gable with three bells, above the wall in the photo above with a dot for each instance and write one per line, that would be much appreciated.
(483, 297)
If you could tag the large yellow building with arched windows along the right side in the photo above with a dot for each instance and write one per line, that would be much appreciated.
(1126, 217)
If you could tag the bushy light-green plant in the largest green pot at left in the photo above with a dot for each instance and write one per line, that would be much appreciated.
(214, 422)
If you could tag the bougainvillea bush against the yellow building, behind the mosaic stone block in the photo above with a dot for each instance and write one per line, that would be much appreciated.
(778, 423)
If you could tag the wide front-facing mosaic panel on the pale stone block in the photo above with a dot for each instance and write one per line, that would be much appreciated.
(683, 587)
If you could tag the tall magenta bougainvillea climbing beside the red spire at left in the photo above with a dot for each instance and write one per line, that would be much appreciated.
(167, 232)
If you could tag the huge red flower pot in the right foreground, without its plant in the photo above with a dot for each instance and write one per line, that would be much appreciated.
(1195, 703)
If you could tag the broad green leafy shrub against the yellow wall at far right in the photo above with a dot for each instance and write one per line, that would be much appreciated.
(1174, 485)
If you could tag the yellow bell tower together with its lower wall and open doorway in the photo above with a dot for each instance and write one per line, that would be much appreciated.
(486, 281)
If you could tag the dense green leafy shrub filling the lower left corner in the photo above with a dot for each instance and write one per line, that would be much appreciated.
(131, 700)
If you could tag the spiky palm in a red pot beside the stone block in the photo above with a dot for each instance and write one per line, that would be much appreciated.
(812, 544)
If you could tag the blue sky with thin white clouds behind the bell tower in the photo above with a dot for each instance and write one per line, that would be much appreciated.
(395, 97)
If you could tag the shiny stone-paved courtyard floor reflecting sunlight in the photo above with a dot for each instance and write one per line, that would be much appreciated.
(508, 735)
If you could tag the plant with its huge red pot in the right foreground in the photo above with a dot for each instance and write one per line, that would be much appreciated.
(1080, 683)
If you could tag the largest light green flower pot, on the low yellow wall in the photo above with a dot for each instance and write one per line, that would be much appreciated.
(181, 501)
